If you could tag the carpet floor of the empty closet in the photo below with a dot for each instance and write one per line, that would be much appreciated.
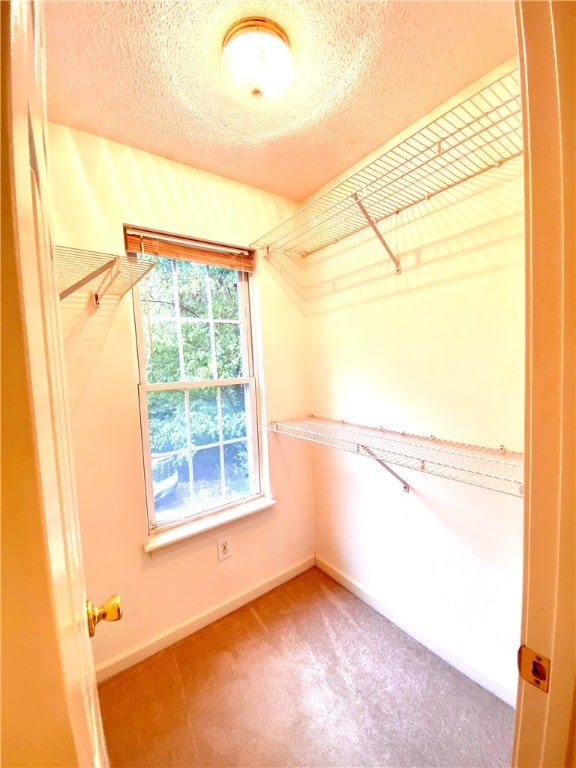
(307, 675)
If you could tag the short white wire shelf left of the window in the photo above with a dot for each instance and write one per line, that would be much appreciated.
(97, 273)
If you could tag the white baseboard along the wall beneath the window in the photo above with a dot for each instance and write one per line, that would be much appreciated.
(155, 644)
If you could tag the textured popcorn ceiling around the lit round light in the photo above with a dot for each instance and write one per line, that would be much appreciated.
(146, 73)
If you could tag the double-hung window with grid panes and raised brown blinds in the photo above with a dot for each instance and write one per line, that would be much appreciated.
(198, 403)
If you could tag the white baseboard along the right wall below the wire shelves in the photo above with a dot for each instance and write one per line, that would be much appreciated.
(357, 589)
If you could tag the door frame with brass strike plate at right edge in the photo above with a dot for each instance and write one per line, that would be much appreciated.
(544, 732)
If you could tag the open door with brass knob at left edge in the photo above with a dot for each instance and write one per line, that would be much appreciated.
(50, 712)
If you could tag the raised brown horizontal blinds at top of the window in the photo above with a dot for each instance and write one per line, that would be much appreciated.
(154, 242)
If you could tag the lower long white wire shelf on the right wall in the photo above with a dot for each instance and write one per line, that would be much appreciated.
(491, 468)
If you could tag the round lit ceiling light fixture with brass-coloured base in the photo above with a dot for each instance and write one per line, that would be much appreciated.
(256, 58)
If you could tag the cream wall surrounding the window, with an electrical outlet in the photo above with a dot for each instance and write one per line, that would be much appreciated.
(97, 186)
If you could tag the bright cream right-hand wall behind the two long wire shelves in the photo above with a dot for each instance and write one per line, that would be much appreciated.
(437, 350)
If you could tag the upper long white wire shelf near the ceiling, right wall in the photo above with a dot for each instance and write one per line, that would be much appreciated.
(480, 133)
